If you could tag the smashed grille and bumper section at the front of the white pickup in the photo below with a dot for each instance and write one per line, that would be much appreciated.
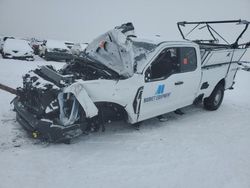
(37, 107)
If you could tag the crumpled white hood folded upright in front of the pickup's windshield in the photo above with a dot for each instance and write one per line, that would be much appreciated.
(114, 50)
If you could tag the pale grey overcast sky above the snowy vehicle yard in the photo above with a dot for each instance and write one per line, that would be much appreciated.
(82, 20)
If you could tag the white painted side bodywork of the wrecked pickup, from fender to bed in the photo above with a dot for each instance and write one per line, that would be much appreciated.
(123, 92)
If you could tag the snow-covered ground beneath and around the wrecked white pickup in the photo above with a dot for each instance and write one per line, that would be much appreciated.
(199, 149)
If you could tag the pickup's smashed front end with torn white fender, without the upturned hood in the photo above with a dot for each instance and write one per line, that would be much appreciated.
(48, 107)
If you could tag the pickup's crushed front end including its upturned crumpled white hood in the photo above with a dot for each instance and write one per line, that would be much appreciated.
(55, 105)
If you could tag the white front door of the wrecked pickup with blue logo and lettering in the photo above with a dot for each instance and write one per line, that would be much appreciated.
(161, 87)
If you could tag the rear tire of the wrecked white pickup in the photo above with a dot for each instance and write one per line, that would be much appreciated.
(214, 101)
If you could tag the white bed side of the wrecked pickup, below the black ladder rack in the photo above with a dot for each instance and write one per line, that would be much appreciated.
(218, 64)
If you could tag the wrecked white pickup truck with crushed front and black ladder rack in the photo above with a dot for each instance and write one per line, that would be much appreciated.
(122, 77)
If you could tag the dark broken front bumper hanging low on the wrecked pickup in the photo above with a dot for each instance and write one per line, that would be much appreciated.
(44, 129)
